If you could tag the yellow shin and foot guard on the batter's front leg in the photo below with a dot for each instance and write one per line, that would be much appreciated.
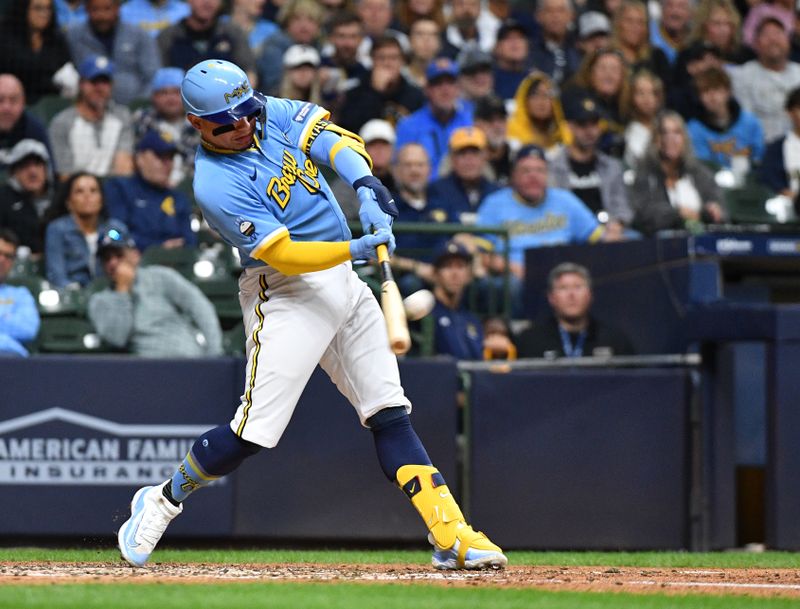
(429, 494)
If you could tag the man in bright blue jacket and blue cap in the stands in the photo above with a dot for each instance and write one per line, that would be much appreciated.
(444, 112)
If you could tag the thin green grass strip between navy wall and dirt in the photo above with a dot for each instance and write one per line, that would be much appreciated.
(773, 560)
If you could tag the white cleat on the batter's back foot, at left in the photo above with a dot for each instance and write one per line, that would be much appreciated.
(150, 515)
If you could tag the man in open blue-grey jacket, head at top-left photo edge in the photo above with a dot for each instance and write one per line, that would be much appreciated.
(132, 50)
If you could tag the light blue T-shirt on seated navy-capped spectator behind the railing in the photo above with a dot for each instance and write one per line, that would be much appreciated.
(560, 218)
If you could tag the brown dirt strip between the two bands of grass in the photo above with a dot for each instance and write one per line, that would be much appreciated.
(751, 582)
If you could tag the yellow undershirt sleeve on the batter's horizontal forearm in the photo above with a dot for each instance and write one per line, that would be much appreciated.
(295, 257)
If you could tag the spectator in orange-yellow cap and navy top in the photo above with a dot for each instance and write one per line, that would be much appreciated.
(462, 190)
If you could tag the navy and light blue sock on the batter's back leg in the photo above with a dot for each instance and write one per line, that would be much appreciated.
(214, 454)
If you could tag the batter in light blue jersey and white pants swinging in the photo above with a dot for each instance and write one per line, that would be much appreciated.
(258, 183)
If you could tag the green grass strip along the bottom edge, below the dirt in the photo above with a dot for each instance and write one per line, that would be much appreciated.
(348, 596)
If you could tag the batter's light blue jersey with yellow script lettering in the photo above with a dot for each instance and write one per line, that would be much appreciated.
(253, 197)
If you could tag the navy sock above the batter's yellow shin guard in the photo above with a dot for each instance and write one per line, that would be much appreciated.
(396, 441)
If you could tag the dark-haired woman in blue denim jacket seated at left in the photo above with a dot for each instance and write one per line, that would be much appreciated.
(78, 220)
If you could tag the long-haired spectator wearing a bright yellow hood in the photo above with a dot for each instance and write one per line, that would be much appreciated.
(538, 117)
